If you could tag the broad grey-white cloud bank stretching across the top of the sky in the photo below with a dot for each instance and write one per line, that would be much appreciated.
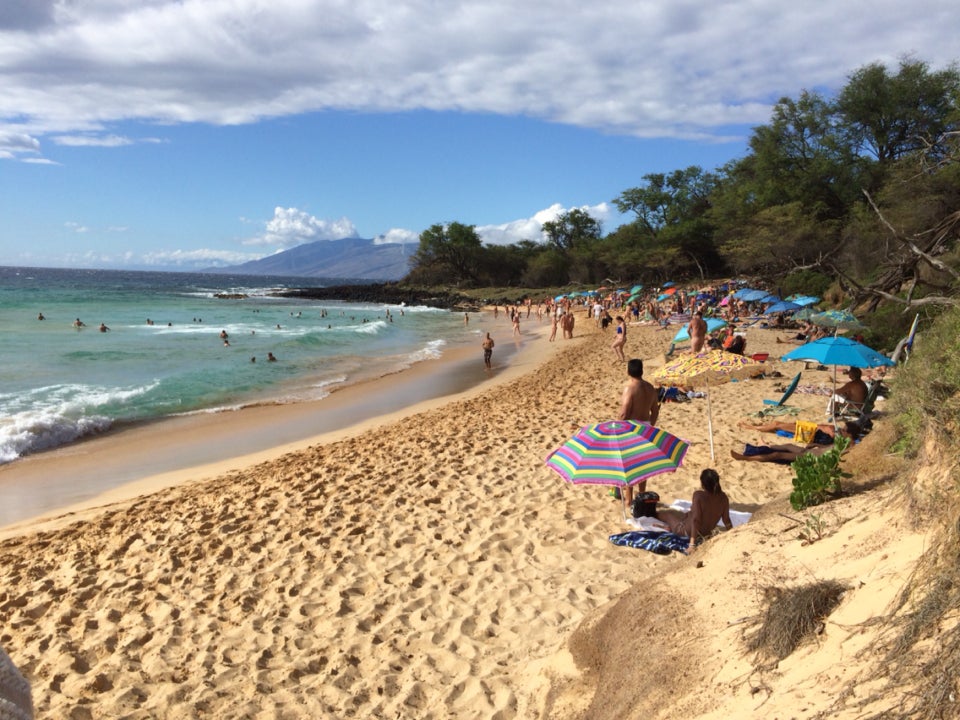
(688, 69)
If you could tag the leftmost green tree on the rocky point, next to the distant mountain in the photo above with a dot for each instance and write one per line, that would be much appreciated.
(447, 253)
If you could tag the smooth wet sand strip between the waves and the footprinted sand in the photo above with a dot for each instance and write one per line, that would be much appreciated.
(79, 478)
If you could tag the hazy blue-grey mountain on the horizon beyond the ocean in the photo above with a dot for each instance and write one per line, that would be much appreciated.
(348, 258)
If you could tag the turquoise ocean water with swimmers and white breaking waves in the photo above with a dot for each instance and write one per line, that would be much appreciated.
(163, 354)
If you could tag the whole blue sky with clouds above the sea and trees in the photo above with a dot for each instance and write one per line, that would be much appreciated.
(185, 134)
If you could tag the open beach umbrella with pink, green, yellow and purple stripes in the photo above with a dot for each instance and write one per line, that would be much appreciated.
(617, 452)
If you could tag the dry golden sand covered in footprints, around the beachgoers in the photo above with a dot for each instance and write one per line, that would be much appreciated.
(426, 564)
